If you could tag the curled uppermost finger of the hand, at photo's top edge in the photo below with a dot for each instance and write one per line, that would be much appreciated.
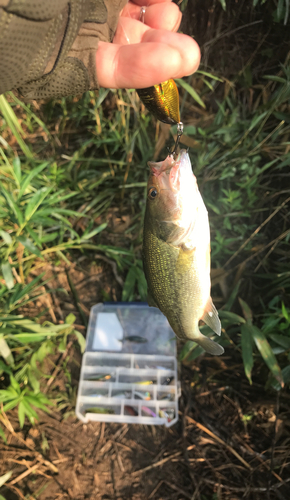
(165, 15)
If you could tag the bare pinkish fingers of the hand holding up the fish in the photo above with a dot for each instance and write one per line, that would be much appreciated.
(145, 54)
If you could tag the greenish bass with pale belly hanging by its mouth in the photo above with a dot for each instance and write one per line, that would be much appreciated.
(176, 251)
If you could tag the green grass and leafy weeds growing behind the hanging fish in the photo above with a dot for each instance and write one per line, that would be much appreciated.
(90, 158)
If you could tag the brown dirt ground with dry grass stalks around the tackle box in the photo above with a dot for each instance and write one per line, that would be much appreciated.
(231, 441)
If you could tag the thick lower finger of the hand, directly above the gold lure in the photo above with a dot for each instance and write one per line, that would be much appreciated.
(146, 64)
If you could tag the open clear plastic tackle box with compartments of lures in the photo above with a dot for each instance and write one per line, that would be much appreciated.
(129, 369)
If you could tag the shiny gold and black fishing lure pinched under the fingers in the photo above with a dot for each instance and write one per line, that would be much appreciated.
(162, 100)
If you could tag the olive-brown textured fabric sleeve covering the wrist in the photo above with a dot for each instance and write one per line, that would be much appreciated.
(48, 47)
